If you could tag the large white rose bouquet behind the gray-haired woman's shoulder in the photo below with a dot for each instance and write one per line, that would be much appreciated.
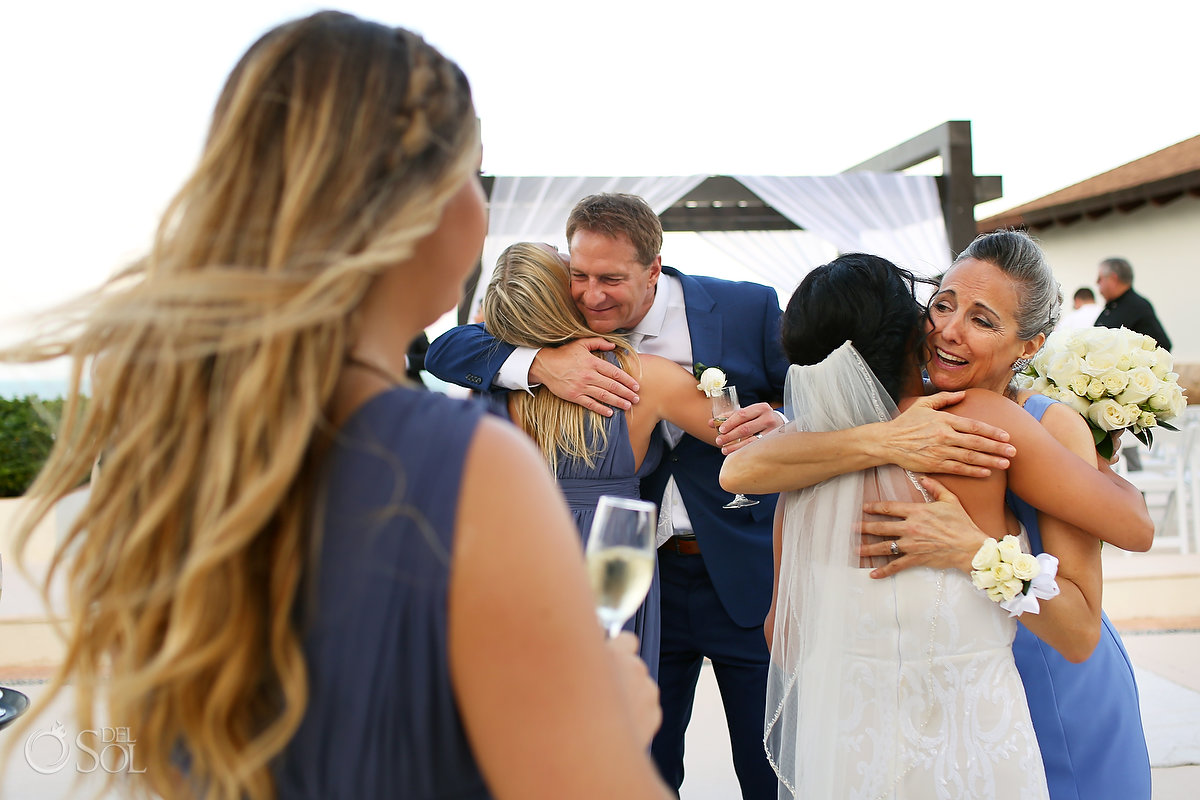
(1117, 378)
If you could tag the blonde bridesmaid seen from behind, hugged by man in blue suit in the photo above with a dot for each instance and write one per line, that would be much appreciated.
(529, 304)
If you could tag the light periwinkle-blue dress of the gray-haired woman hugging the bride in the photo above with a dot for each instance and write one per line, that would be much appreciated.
(1087, 717)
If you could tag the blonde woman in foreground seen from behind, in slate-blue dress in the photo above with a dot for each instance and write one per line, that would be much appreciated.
(296, 576)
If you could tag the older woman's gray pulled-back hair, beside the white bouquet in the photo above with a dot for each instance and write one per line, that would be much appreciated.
(1021, 258)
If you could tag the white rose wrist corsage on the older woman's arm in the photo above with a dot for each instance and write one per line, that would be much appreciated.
(1013, 579)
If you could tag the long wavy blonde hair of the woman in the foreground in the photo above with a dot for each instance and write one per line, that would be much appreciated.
(334, 149)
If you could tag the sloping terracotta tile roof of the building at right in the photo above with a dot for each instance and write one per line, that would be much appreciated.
(1159, 178)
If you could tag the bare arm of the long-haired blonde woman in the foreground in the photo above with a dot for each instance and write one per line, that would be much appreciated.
(526, 651)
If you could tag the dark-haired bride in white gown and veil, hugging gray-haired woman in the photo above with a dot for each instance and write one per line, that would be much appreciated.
(902, 687)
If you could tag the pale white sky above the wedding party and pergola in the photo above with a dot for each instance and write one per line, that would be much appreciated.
(106, 104)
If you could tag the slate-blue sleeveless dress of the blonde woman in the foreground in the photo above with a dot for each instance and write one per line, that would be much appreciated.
(382, 720)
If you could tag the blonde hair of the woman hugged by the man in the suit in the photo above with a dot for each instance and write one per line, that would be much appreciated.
(529, 304)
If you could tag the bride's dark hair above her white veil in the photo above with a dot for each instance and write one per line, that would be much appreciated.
(865, 299)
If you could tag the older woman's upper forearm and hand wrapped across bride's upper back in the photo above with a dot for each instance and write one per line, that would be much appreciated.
(922, 440)
